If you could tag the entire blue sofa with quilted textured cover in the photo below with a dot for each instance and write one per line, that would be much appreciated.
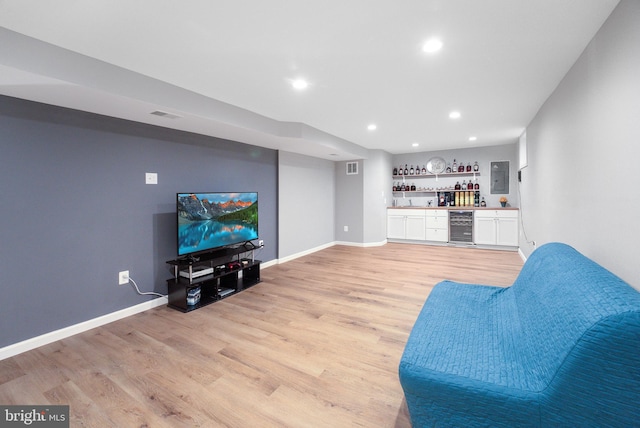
(560, 347)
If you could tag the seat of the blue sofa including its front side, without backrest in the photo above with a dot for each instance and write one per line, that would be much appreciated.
(461, 359)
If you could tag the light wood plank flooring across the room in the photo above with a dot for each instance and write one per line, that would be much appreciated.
(316, 344)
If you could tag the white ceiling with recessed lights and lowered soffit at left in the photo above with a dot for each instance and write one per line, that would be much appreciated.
(225, 66)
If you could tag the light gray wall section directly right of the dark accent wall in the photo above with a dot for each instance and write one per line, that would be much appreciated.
(306, 195)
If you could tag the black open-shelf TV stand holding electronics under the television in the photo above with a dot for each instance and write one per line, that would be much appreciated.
(209, 277)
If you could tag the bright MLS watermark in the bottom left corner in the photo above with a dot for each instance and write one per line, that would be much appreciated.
(34, 416)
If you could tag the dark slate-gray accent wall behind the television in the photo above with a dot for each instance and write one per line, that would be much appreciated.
(76, 210)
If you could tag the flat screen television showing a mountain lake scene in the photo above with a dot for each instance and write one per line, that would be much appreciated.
(207, 221)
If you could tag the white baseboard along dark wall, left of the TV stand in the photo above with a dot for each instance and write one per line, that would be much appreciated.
(45, 339)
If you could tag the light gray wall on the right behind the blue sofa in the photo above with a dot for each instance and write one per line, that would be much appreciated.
(581, 182)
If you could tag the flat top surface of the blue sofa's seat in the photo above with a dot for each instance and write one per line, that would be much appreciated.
(470, 331)
